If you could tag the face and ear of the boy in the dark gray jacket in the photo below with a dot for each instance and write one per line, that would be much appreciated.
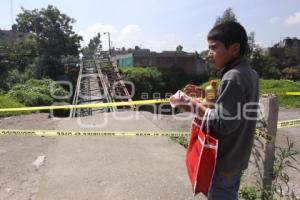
(219, 55)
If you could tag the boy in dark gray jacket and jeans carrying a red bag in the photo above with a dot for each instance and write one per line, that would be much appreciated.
(229, 121)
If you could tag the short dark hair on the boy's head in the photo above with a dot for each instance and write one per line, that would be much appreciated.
(230, 32)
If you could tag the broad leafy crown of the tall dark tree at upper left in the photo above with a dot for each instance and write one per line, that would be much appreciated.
(52, 29)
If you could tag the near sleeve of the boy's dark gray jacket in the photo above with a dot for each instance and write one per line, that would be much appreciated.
(226, 117)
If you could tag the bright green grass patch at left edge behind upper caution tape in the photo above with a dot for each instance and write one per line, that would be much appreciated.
(6, 102)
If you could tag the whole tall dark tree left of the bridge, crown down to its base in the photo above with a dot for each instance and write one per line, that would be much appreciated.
(54, 37)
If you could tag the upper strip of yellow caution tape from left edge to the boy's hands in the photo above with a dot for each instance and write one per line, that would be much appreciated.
(94, 105)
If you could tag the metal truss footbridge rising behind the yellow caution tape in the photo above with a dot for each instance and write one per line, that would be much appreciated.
(99, 82)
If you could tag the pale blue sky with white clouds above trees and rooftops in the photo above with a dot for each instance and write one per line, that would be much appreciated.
(164, 24)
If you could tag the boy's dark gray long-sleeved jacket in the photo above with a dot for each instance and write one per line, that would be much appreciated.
(237, 92)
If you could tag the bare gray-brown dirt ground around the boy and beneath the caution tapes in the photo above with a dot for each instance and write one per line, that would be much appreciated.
(96, 168)
